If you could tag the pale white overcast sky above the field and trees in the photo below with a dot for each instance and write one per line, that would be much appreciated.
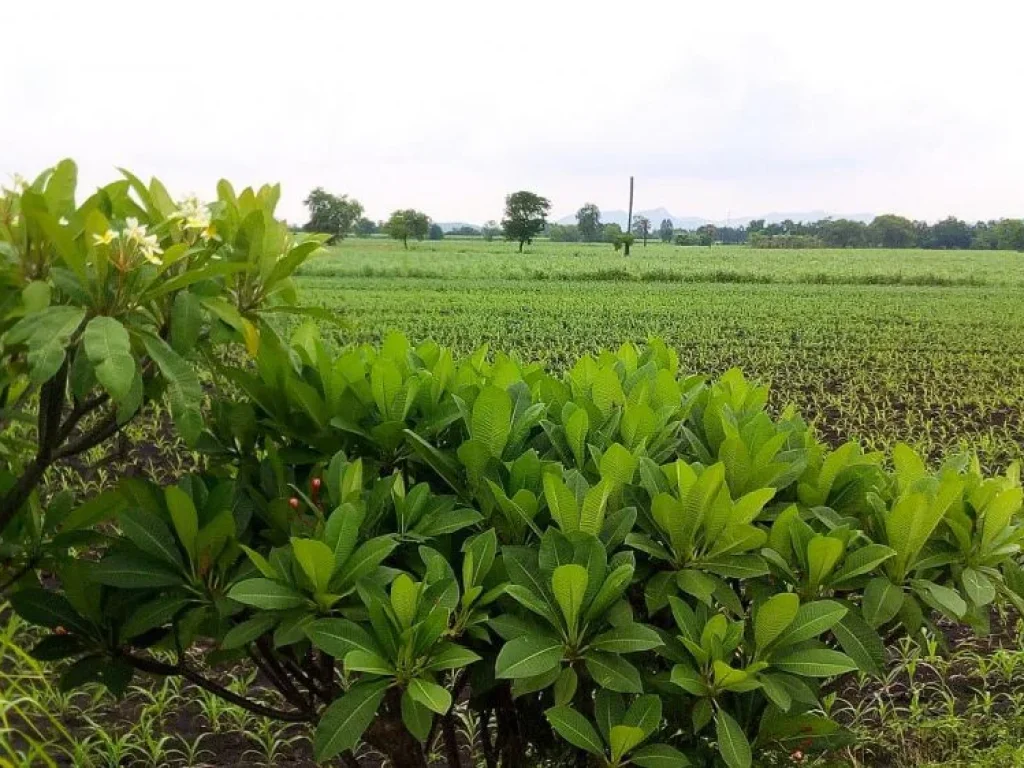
(717, 108)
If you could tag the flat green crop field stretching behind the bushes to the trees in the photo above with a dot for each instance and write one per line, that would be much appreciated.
(918, 346)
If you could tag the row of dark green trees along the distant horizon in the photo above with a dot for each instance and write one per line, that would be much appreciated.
(526, 219)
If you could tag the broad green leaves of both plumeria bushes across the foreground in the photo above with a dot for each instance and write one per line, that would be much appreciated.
(618, 563)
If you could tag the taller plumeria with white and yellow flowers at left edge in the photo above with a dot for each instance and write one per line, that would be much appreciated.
(109, 305)
